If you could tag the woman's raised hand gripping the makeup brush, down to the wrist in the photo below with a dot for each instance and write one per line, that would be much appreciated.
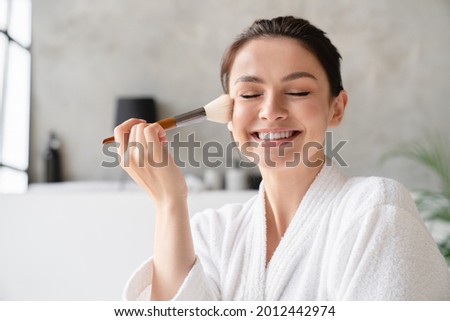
(145, 157)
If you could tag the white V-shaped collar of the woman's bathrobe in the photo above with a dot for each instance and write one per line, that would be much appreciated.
(269, 284)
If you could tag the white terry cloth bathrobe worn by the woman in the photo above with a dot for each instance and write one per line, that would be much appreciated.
(350, 239)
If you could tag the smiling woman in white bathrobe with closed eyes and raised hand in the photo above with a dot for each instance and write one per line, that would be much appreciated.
(311, 233)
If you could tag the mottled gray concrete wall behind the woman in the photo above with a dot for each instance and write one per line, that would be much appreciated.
(87, 53)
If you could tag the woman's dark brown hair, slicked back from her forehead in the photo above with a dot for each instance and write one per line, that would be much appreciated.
(312, 38)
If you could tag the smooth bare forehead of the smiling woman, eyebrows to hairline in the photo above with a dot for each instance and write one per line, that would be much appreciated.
(276, 56)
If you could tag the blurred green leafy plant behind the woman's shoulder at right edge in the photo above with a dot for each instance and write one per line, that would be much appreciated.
(433, 152)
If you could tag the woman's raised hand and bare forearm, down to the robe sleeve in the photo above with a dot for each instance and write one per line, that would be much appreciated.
(144, 156)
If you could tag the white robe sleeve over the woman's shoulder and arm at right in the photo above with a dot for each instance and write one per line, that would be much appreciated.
(382, 242)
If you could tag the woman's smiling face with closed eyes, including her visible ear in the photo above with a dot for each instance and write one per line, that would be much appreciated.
(282, 102)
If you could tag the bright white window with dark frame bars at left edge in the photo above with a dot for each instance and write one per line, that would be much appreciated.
(15, 79)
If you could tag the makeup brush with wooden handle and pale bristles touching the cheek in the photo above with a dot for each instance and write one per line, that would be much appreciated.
(219, 110)
